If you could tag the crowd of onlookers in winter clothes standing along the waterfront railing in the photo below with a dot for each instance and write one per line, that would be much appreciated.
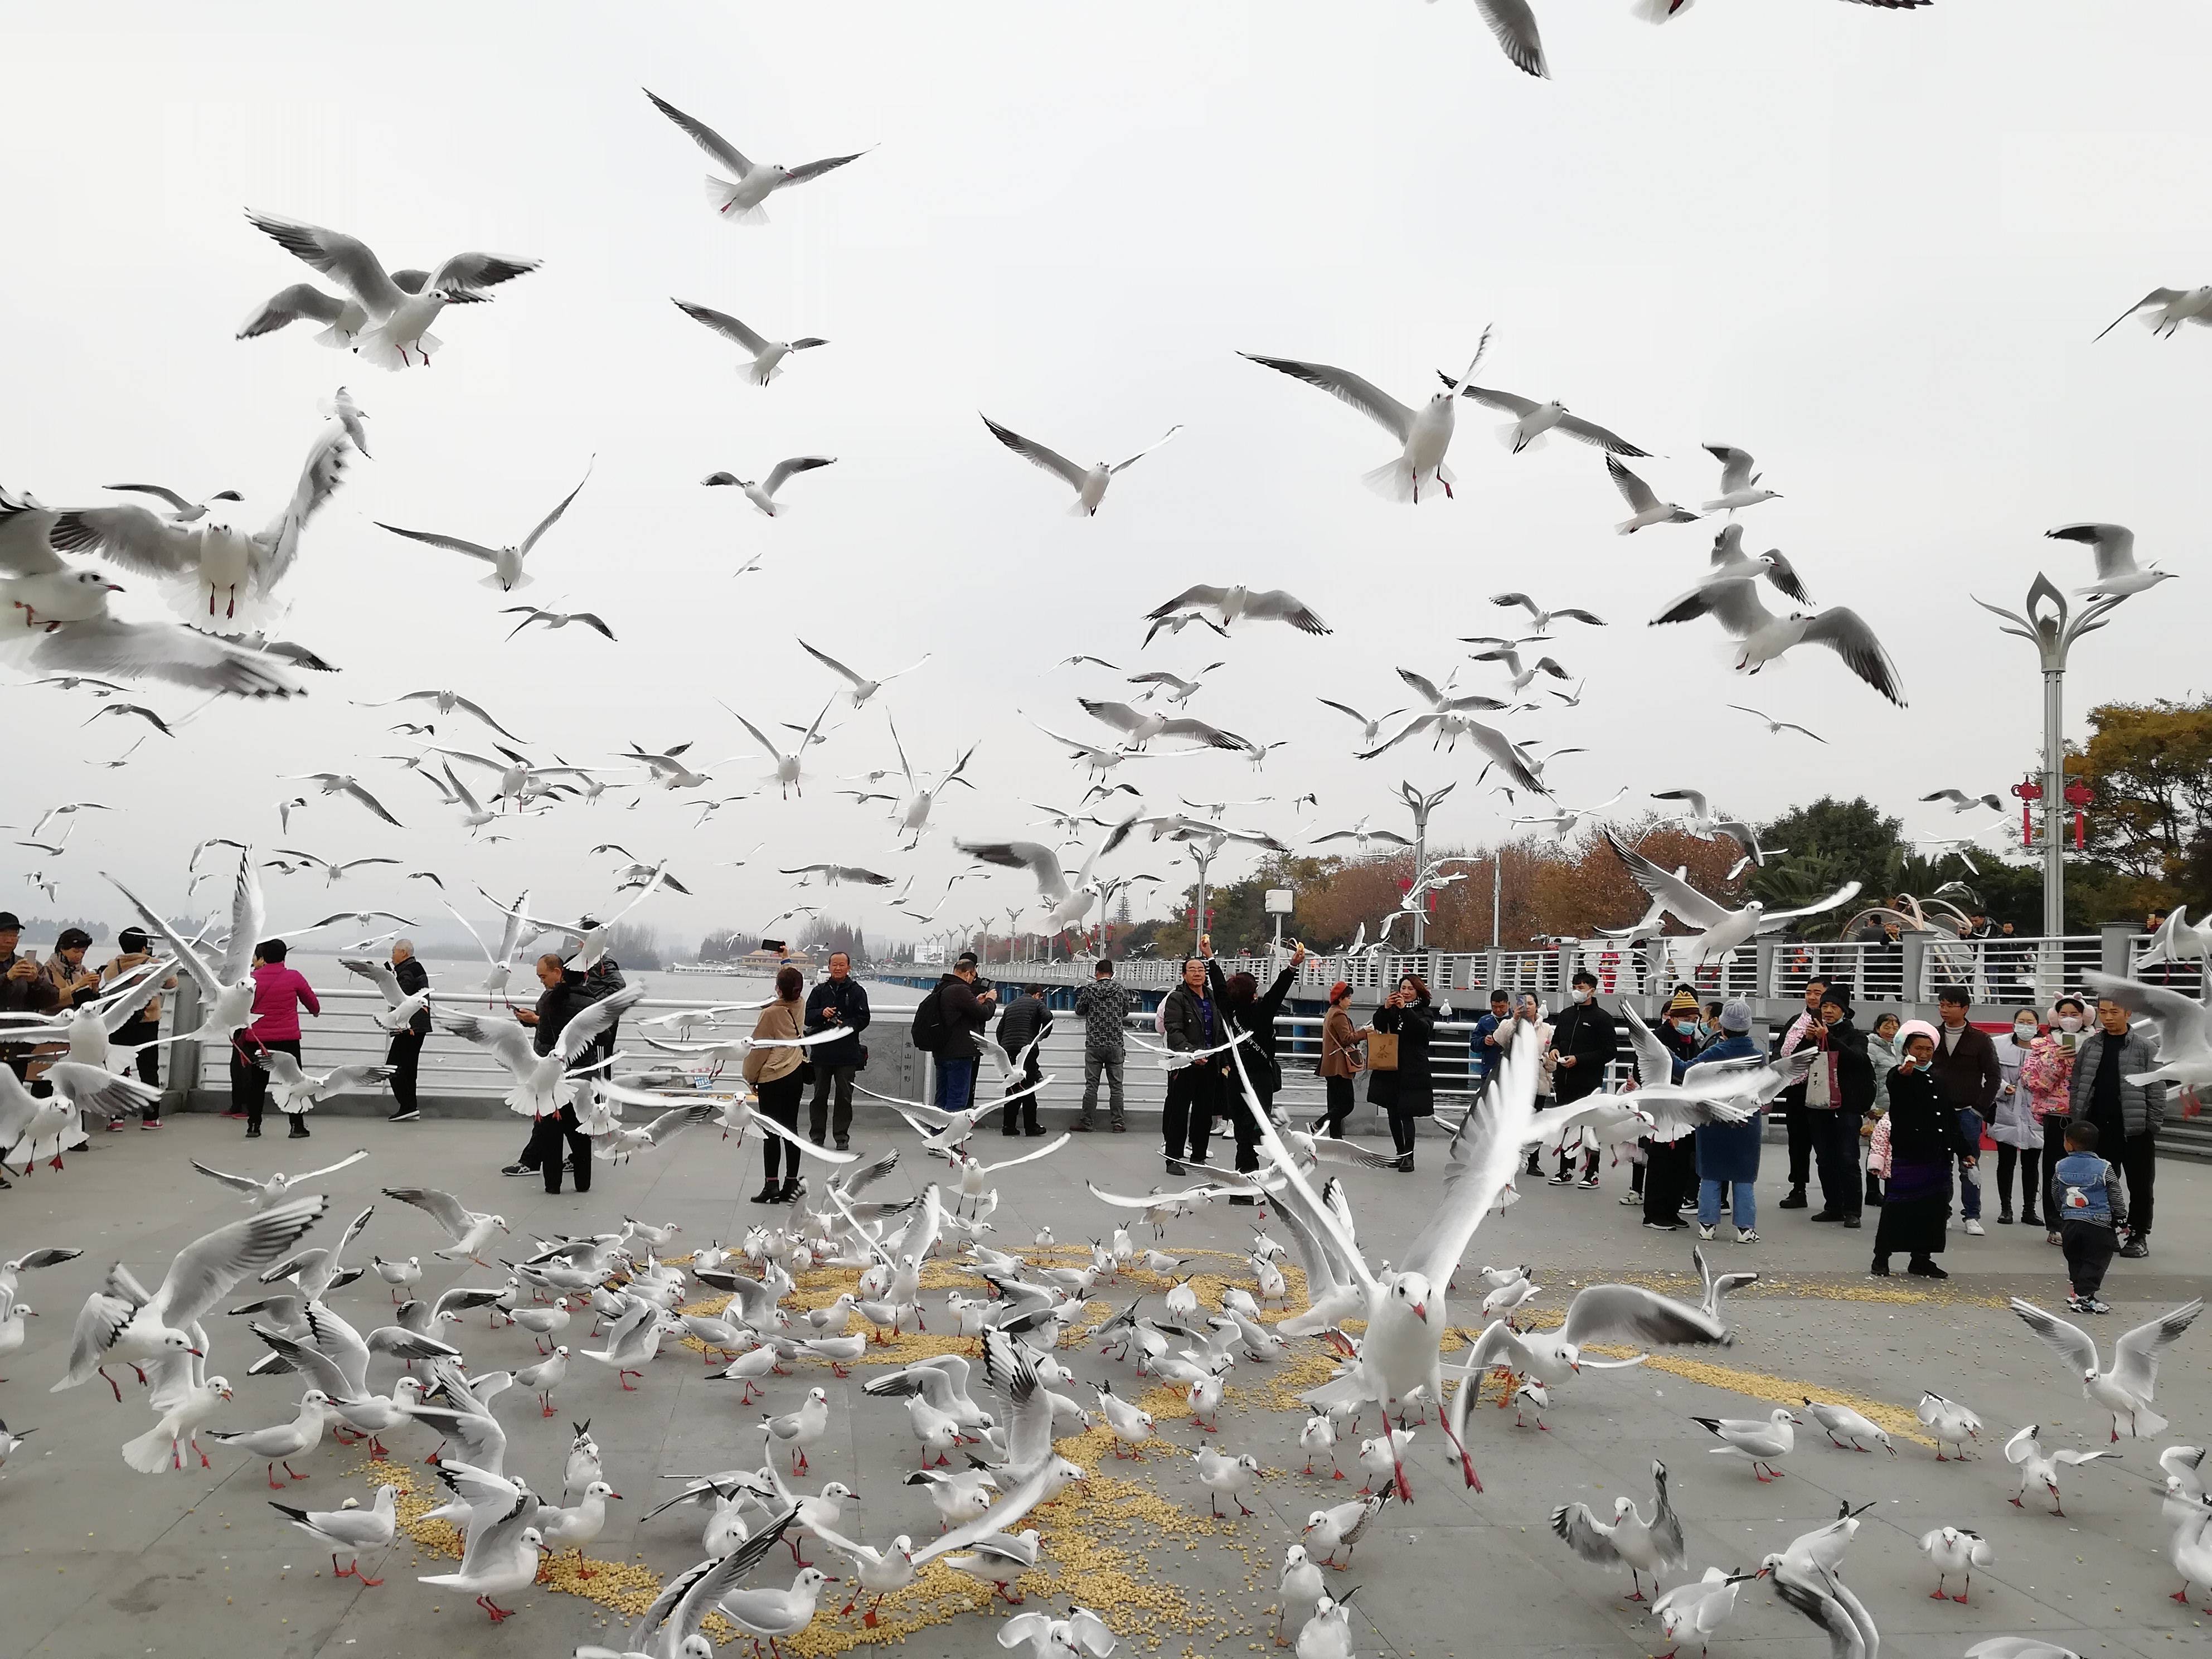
(1892, 1116)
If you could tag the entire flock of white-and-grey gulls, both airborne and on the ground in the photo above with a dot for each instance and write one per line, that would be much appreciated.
(395, 1361)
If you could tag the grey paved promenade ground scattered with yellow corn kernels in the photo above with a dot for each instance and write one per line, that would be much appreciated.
(98, 1563)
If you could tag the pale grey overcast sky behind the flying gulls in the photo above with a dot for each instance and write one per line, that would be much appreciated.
(1870, 249)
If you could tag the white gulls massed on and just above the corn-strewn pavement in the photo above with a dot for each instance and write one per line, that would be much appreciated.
(1001, 1388)
